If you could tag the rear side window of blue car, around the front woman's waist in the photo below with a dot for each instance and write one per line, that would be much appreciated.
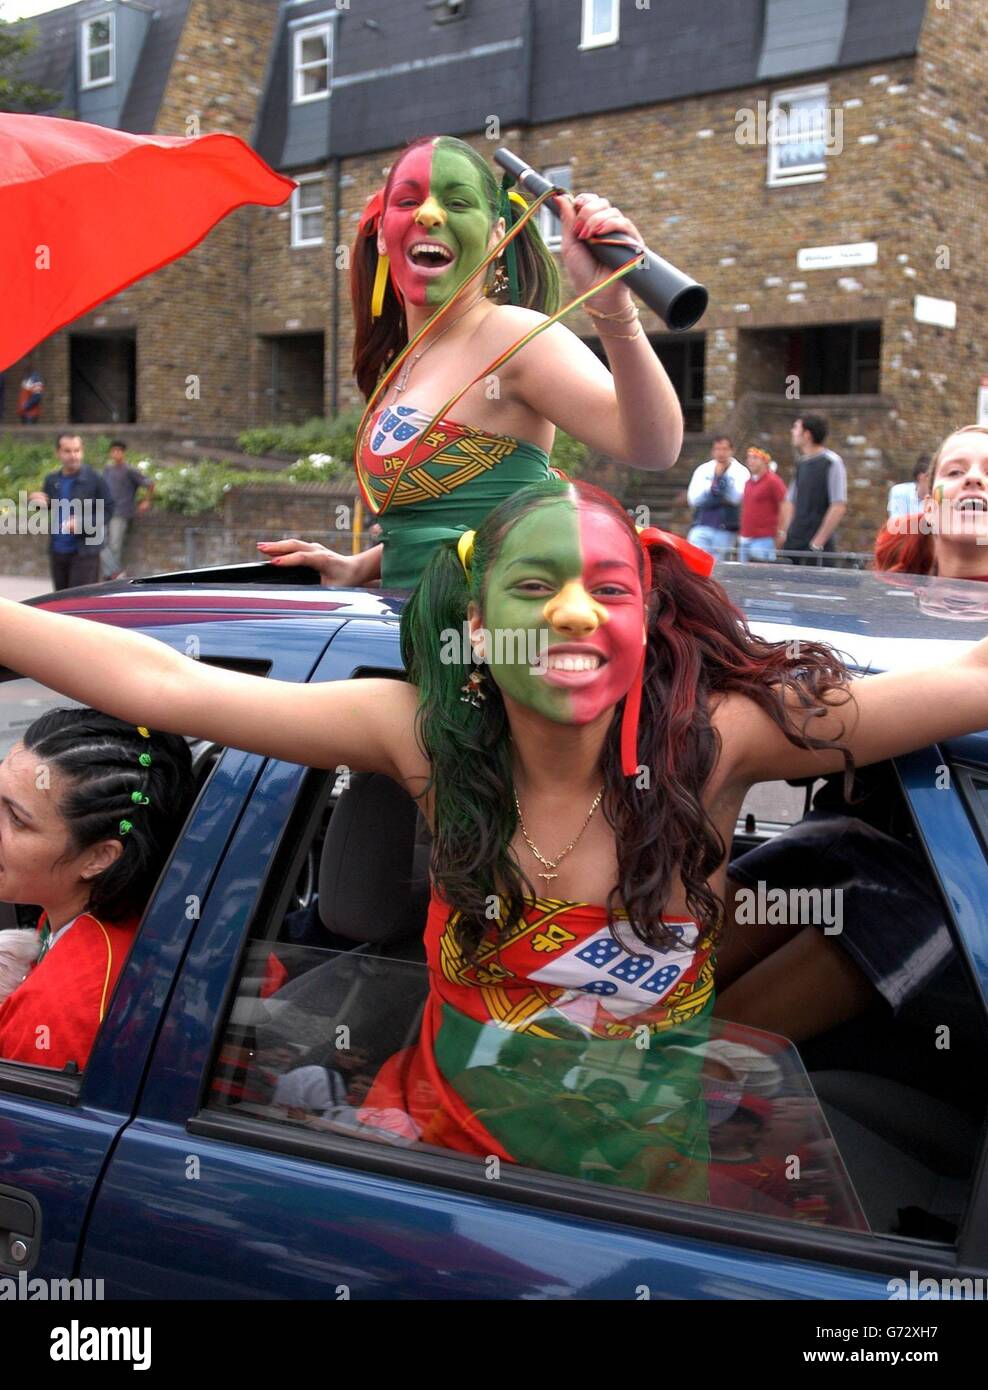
(859, 1125)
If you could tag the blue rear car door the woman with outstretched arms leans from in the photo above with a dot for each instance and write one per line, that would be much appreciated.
(198, 1203)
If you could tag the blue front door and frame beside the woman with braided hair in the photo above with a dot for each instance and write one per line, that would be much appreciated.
(58, 1131)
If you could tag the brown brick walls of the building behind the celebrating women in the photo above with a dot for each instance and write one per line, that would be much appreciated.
(911, 177)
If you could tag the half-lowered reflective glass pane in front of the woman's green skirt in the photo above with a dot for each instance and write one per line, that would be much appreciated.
(715, 1114)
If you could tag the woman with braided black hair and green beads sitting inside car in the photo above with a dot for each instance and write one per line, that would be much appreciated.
(90, 810)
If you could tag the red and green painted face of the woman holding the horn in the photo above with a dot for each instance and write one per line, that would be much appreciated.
(437, 223)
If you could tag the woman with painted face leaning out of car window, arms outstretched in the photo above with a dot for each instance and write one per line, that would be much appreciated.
(582, 811)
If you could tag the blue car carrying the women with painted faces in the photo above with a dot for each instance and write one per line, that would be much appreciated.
(220, 1143)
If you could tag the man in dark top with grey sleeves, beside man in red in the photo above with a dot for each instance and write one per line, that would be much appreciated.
(818, 498)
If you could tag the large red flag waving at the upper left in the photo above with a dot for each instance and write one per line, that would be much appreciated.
(87, 211)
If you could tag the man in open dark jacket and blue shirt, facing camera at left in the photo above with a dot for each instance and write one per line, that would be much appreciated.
(83, 509)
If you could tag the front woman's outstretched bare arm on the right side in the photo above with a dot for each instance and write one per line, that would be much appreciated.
(876, 718)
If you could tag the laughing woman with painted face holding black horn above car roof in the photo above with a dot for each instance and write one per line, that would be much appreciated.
(462, 423)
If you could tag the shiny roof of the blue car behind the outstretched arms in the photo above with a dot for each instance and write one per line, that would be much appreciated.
(879, 622)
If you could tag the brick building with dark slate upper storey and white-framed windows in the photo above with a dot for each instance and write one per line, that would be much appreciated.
(819, 165)
